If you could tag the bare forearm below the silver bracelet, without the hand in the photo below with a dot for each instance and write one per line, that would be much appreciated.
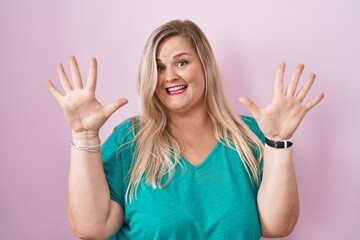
(91, 213)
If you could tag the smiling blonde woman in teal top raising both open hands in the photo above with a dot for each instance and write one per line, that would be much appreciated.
(187, 167)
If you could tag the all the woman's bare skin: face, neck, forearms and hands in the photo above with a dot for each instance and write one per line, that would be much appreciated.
(91, 212)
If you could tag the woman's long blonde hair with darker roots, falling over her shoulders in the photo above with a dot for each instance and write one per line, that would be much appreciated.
(157, 152)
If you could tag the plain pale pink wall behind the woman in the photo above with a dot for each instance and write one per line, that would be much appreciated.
(249, 38)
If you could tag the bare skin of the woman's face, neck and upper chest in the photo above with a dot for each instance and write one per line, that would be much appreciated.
(179, 65)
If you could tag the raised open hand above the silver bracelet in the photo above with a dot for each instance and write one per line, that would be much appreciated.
(82, 110)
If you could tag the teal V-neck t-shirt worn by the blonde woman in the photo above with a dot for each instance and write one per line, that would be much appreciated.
(214, 200)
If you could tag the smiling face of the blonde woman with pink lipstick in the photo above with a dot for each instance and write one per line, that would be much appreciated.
(181, 81)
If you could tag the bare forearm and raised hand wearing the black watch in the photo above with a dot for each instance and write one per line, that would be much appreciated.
(278, 200)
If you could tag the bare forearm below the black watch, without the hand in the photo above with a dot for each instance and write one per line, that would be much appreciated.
(278, 199)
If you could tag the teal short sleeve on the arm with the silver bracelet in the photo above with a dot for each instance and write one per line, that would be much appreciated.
(116, 162)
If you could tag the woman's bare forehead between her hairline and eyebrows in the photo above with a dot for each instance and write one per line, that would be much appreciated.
(173, 46)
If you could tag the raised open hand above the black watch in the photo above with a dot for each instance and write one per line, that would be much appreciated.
(282, 116)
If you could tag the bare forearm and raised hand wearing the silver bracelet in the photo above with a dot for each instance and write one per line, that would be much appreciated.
(91, 212)
